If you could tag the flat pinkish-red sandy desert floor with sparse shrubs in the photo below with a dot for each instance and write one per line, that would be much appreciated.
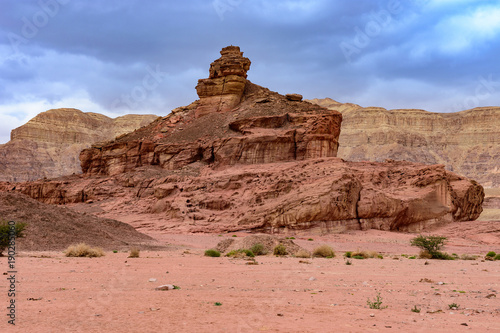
(115, 293)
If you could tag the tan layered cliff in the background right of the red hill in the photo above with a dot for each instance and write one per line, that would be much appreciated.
(466, 142)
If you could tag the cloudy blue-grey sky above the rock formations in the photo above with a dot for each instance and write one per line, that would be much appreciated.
(118, 57)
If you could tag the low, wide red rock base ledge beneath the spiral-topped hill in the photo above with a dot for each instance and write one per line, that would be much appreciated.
(327, 195)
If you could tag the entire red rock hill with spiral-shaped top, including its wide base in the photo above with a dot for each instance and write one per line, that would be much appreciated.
(245, 158)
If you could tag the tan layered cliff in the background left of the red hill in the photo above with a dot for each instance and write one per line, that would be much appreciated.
(49, 144)
